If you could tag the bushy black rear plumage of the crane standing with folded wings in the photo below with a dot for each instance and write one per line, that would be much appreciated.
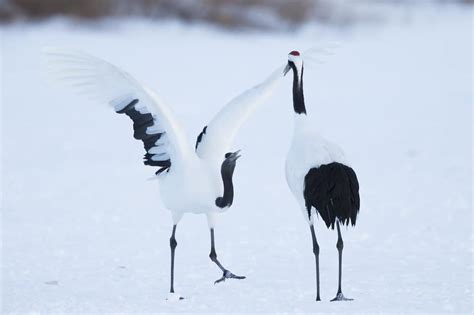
(333, 189)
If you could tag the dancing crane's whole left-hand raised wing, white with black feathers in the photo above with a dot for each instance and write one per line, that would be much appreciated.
(153, 122)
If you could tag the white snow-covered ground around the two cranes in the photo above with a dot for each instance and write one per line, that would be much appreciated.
(84, 231)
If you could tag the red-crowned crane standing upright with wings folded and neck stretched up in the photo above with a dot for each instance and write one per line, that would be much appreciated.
(319, 176)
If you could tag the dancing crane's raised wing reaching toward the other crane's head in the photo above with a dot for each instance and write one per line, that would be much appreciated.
(217, 137)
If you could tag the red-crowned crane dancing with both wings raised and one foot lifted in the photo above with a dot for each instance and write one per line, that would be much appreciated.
(197, 181)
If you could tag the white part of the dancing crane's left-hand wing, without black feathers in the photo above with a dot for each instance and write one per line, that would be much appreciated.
(101, 80)
